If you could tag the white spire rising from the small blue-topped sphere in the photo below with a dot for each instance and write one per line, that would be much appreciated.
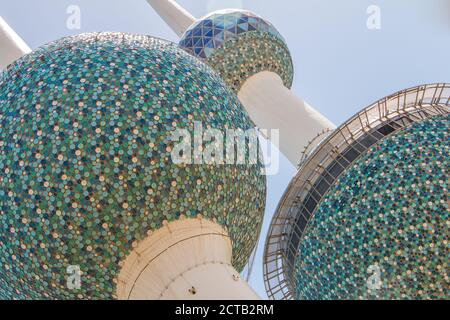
(173, 14)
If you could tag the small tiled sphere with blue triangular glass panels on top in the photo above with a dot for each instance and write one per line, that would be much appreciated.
(239, 44)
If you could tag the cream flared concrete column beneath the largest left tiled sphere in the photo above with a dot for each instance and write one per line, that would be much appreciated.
(186, 259)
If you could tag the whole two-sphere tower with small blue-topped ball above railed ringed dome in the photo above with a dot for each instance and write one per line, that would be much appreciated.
(367, 215)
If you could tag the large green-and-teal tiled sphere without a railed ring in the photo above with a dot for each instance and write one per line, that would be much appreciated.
(85, 160)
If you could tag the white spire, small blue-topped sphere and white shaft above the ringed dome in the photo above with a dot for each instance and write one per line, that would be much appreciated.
(254, 60)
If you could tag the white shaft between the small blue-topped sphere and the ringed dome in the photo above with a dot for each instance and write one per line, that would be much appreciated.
(273, 106)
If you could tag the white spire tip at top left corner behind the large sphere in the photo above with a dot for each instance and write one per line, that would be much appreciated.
(12, 47)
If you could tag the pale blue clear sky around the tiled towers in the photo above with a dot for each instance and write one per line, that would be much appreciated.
(340, 65)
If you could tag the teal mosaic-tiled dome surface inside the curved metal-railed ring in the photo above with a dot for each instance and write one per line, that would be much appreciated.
(388, 211)
